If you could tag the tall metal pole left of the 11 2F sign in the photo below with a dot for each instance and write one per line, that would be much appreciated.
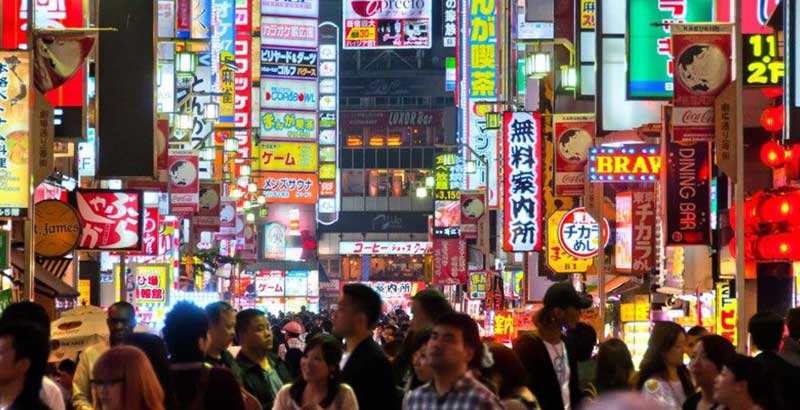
(741, 320)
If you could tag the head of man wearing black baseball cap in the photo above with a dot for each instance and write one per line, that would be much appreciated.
(562, 306)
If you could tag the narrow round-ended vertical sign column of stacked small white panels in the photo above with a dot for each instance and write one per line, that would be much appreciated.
(329, 175)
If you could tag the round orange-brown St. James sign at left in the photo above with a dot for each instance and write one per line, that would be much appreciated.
(57, 228)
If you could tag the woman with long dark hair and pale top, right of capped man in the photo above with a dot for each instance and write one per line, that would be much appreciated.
(662, 375)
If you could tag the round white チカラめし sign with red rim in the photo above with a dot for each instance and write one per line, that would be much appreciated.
(579, 233)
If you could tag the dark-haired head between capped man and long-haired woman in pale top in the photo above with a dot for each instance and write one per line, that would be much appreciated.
(614, 366)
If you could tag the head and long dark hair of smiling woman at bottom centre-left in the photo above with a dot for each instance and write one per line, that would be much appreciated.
(319, 363)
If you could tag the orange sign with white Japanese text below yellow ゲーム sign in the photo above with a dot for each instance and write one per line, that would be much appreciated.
(288, 187)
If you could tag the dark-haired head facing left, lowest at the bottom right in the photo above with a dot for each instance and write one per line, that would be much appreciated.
(742, 379)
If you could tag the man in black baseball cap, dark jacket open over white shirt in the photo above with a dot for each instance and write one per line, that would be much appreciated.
(547, 356)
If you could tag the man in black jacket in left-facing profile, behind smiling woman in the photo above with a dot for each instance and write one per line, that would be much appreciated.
(364, 365)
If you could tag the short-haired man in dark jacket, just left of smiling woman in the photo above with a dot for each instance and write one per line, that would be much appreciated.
(263, 372)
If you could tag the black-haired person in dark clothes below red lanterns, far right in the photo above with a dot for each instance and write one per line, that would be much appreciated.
(766, 330)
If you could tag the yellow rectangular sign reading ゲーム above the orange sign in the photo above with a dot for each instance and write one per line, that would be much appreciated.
(286, 156)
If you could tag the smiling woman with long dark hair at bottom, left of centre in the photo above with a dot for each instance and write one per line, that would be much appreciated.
(318, 386)
